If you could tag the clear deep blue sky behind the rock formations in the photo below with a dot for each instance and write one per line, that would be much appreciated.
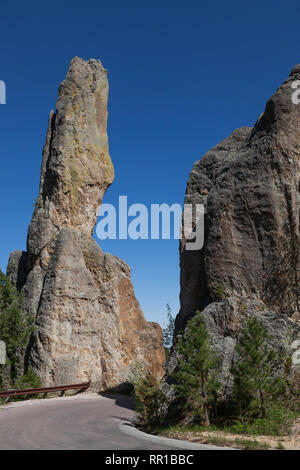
(182, 76)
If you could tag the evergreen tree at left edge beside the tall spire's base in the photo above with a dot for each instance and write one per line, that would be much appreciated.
(15, 327)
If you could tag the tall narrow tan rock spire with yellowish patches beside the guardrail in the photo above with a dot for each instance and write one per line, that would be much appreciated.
(88, 321)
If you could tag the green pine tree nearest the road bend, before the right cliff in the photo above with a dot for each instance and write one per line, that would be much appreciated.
(196, 377)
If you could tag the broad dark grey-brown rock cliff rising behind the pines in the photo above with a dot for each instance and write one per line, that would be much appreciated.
(249, 264)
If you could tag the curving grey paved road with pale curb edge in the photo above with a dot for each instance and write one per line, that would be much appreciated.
(79, 422)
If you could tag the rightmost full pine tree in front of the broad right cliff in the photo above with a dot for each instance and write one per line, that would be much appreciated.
(252, 370)
